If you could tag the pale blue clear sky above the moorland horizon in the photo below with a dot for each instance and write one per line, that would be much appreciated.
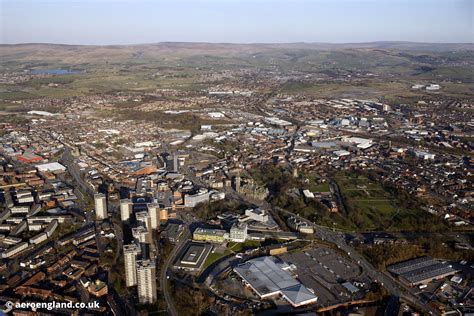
(106, 22)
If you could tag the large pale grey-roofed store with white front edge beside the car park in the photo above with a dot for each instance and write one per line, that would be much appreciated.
(267, 277)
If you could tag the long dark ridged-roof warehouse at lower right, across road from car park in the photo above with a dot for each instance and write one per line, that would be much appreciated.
(421, 270)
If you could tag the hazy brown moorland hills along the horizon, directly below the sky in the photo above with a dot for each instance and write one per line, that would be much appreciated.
(37, 54)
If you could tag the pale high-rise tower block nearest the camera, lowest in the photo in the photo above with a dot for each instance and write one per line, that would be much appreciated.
(146, 280)
